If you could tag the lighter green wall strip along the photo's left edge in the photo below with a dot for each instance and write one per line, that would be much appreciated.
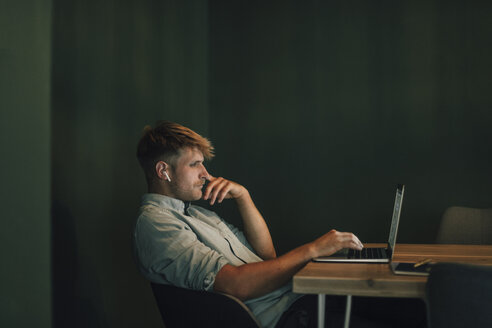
(25, 284)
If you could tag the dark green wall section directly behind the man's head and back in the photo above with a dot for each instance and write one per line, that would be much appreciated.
(117, 65)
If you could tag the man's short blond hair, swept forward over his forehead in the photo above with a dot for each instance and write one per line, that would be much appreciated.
(165, 140)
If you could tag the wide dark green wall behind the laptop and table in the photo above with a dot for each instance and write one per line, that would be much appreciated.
(321, 107)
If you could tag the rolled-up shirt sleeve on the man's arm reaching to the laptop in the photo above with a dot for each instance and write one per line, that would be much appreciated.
(170, 249)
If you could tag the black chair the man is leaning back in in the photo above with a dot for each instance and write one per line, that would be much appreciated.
(182, 308)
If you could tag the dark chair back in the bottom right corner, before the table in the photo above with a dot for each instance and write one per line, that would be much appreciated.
(459, 295)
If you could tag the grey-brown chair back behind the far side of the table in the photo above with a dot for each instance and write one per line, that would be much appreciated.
(463, 225)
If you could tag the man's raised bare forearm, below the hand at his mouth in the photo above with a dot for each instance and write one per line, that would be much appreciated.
(255, 227)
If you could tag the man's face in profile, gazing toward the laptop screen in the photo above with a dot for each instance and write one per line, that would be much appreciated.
(188, 175)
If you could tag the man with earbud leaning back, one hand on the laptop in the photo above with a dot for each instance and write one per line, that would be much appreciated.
(189, 246)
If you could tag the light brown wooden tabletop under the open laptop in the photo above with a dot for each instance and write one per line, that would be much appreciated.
(377, 279)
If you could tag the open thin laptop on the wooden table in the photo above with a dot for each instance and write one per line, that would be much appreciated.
(375, 254)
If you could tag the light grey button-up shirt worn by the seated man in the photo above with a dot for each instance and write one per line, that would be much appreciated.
(188, 248)
